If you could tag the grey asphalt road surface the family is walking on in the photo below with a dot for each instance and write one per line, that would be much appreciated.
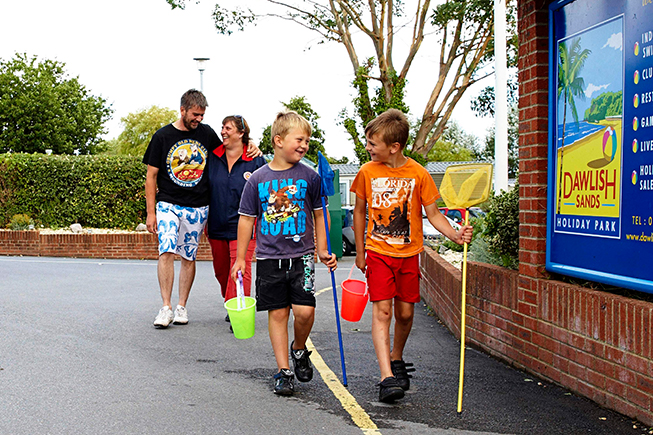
(79, 355)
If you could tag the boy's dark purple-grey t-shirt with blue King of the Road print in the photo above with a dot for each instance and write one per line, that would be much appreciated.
(283, 203)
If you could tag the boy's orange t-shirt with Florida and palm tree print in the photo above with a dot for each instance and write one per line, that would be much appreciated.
(394, 198)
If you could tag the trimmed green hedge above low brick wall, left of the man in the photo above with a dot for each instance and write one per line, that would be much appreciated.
(56, 191)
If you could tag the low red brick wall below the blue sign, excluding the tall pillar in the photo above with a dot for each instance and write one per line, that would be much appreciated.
(594, 343)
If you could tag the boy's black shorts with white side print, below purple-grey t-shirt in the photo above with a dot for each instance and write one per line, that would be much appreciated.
(286, 282)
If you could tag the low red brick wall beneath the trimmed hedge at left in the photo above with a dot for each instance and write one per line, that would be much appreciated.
(83, 245)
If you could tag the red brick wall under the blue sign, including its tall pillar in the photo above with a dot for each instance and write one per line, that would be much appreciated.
(594, 343)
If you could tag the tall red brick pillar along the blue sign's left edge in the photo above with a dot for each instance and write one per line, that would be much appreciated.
(533, 147)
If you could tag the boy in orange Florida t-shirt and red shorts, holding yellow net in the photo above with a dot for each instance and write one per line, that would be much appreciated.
(393, 189)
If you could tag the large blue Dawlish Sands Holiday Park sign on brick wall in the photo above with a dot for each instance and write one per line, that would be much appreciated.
(600, 194)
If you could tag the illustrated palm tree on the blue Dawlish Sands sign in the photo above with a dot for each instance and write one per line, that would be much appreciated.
(570, 86)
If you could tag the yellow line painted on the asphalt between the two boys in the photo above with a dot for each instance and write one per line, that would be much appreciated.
(348, 402)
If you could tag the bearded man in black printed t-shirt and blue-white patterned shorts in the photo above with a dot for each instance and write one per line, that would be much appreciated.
(177, 196)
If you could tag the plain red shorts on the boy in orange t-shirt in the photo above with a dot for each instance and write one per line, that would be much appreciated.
(392, 277)
